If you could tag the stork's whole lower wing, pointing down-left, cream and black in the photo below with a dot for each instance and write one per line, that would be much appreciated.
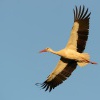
(62, 71)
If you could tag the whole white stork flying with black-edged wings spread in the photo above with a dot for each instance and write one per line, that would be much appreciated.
(72, 55)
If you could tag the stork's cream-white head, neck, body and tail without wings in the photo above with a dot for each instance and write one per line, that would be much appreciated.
(81, 58)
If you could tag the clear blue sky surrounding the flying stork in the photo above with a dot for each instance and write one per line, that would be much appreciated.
(27, 26)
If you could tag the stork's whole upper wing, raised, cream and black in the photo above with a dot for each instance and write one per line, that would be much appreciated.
(80, 30)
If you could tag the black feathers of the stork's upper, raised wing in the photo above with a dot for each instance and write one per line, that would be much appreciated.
(83, 31)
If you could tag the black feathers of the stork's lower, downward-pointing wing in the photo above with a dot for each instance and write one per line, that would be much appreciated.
(65, 73)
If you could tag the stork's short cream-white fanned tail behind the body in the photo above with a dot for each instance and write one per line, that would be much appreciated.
(85, 58)
